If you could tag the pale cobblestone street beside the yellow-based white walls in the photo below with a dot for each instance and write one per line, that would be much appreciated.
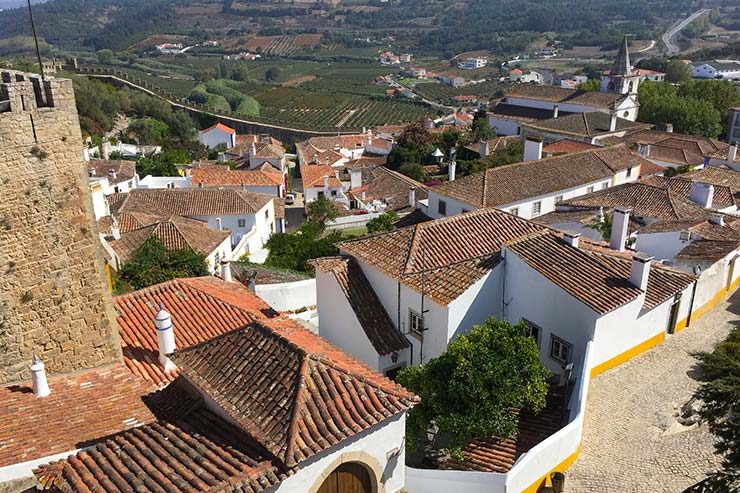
(631, 439)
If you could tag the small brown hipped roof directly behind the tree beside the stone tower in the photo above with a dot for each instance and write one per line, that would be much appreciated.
(175, 233)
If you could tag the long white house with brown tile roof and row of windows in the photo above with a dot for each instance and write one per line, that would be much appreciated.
(533, 187)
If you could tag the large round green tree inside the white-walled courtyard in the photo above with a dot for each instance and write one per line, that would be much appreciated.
(477, 386)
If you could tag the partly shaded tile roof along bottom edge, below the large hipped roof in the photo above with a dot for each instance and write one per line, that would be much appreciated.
(189, 449)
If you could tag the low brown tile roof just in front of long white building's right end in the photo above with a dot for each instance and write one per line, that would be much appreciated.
(644, 200)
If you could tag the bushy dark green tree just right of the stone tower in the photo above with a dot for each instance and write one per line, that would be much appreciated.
(153, 264)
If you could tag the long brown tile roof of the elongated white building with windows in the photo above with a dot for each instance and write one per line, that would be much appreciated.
(514, 182)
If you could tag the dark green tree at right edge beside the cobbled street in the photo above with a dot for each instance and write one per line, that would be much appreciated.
(720, 397)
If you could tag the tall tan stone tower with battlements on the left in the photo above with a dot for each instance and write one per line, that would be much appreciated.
(53, 295)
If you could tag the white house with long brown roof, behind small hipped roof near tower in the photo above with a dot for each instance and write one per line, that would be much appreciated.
(251, 217)
